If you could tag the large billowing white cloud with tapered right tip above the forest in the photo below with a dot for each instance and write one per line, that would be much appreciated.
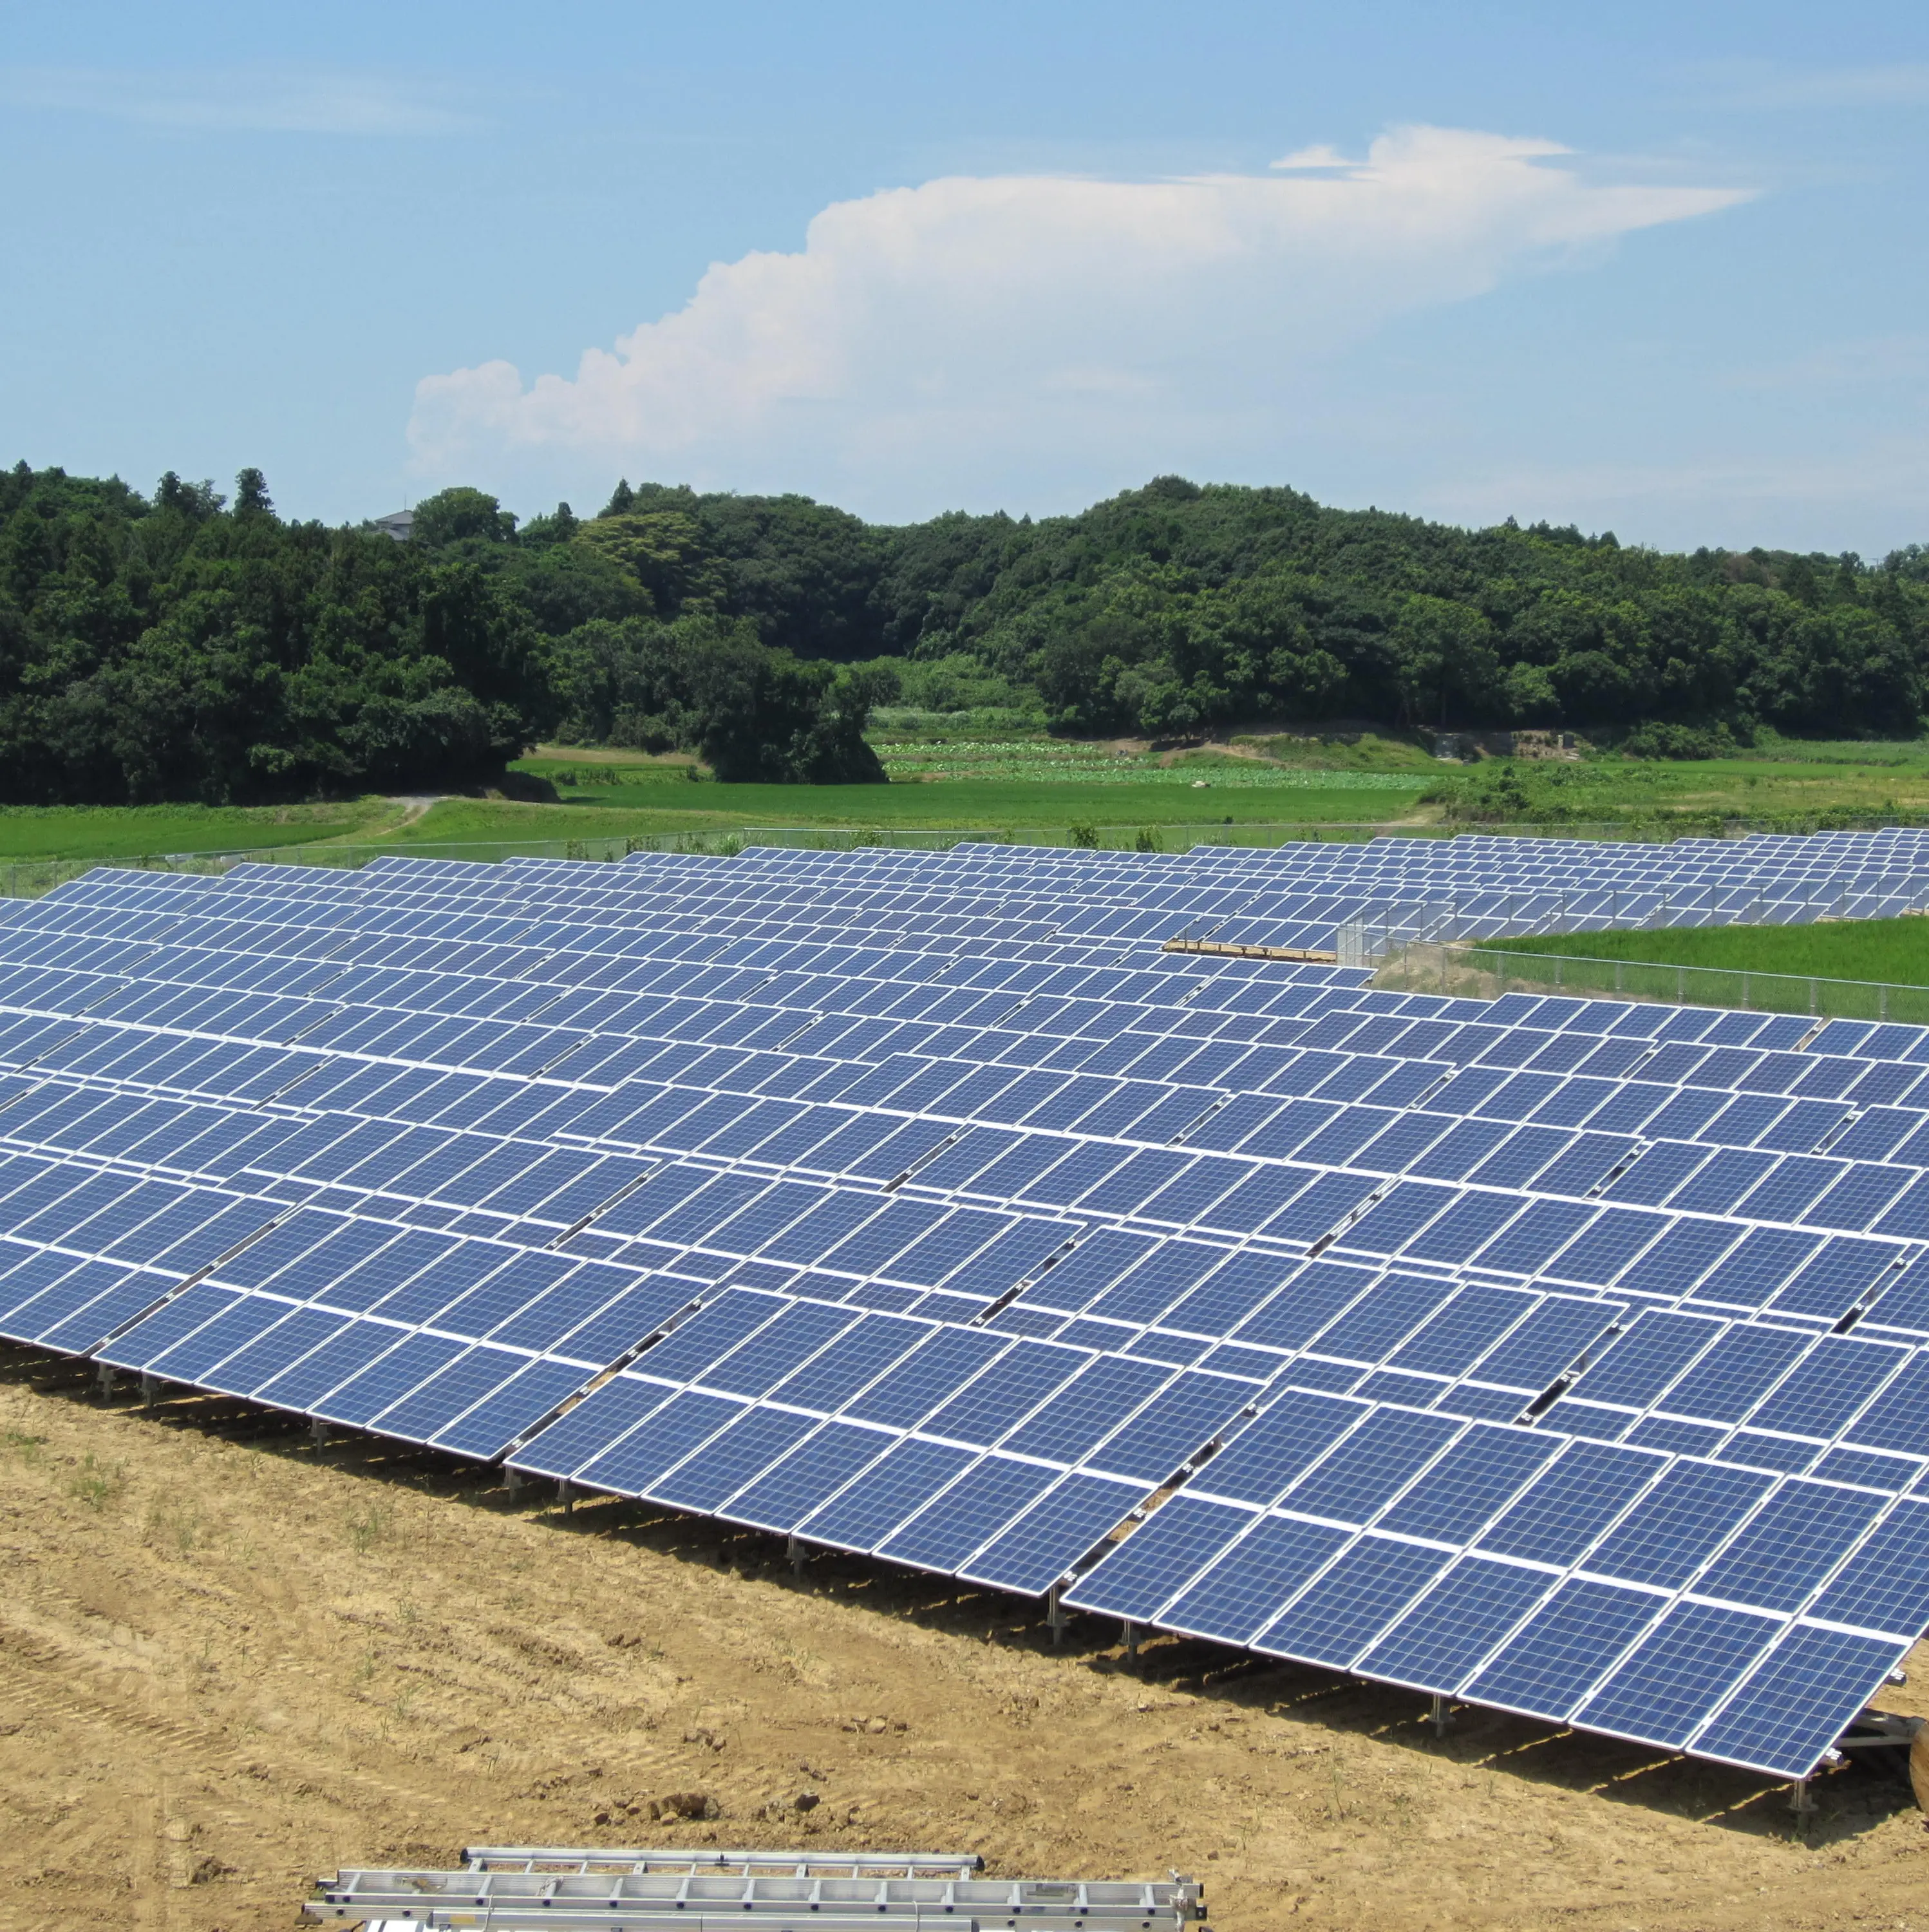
(930, 339)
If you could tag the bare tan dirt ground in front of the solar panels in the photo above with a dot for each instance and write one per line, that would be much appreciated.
(231, 1661)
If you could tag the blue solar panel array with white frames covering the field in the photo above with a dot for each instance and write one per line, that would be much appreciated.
(1557, 1355)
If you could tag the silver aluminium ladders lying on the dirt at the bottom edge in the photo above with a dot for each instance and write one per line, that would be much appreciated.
(580, 1889)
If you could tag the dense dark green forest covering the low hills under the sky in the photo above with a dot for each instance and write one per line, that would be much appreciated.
(188, 648)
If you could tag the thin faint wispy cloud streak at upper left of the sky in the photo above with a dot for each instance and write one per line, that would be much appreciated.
(248, 99)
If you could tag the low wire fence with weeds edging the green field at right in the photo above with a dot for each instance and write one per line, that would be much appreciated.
(1486, 973)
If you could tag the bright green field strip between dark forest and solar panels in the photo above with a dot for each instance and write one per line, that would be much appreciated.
(995, 774)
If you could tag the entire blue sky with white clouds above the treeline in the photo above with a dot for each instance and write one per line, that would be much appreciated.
(1654, 270)
